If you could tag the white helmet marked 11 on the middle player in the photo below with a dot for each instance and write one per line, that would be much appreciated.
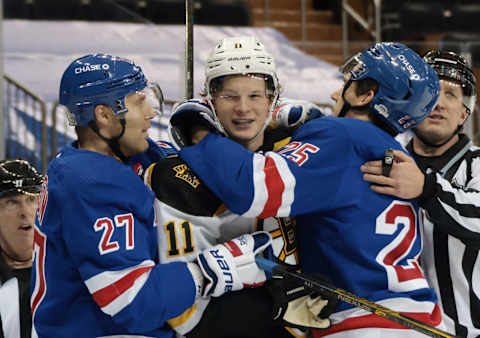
(242, 55)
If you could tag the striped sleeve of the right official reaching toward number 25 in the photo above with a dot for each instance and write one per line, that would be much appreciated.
(454, 205)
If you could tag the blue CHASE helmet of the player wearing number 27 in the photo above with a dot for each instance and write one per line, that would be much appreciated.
(98, 79)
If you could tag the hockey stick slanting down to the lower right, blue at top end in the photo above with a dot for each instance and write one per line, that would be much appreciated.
(355, 300)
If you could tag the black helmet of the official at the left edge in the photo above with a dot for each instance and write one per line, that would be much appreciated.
(19, 177)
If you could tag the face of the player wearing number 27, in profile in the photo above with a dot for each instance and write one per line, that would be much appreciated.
(137, 118)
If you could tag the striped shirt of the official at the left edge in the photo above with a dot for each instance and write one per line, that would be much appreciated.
(15, 314)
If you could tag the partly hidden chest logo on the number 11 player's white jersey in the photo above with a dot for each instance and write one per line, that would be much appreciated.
(284, 240)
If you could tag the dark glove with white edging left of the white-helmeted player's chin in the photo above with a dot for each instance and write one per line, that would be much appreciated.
(188, 114)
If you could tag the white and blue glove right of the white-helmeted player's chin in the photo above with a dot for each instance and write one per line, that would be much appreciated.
(292, 113)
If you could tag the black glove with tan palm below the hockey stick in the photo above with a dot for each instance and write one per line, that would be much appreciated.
(298, 306)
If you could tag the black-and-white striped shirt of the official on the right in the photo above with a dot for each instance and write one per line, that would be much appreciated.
(451, 231)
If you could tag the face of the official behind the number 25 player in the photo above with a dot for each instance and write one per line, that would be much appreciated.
(447, 115)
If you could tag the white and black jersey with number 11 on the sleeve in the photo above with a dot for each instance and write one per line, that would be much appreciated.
(190, 218)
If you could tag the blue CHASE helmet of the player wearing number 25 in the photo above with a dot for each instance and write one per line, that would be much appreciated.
(408, 87)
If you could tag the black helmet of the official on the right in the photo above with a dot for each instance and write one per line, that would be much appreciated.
(454, 68)
